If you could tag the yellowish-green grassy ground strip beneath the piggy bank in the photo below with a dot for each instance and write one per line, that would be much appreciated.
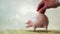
(29, 32)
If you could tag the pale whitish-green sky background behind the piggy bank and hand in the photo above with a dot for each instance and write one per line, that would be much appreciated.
(15, 13)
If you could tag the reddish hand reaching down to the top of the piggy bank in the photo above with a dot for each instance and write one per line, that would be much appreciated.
(45, 4)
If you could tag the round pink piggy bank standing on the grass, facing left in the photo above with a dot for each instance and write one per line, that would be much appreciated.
(40, 21)
